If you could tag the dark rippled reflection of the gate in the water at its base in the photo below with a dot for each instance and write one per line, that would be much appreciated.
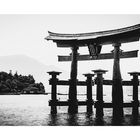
(84, 119)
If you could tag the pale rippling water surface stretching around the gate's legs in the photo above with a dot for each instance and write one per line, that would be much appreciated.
(32, 110)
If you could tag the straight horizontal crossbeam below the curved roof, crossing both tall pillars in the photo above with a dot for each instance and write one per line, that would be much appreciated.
(128, 54)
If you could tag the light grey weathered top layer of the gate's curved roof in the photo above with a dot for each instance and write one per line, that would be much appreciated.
(91, 35)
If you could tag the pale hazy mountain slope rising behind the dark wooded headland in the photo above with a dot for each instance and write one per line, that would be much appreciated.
(26, 65)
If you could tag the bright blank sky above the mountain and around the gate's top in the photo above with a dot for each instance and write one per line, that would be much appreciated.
(24, 35)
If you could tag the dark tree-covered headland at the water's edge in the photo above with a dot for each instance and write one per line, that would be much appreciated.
(19, 84)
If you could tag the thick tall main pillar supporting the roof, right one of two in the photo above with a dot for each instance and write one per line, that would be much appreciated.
(117, 90)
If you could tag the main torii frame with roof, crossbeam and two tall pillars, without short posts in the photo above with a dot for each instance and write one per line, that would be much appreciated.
(94, 41)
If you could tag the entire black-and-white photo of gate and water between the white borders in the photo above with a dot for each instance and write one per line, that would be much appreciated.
(69, 70)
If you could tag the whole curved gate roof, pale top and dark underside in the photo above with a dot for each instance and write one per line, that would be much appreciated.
(122, 35)
